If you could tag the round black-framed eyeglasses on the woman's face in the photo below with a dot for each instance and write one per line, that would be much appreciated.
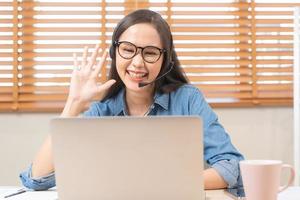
(127, 50)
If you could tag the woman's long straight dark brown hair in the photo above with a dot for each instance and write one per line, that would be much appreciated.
(175, 78)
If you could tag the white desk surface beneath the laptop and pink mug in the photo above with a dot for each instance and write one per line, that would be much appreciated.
(292, 193)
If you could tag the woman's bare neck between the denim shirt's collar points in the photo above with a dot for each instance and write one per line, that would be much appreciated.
(138, 103)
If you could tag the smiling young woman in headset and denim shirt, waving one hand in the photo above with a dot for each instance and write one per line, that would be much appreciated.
(142, 52)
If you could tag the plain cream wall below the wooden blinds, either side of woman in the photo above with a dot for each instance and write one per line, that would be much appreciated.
(260, 133)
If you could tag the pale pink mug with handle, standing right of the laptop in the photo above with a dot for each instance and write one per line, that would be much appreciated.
(261, 178)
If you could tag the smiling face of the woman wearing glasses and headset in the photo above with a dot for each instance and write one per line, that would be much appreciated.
(136, 70)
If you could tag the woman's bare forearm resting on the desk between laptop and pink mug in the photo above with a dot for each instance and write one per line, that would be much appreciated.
(213, 180)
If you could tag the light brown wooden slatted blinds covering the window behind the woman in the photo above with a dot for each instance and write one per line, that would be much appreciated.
(237, 53)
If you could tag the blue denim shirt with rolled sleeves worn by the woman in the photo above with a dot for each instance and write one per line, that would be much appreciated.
(219, 152)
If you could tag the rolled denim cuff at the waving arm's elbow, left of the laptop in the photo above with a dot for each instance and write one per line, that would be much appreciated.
(41, 183)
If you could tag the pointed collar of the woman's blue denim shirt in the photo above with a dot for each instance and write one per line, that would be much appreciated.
(161, 99)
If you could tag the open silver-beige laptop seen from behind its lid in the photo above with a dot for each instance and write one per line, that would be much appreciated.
(128, 158)
